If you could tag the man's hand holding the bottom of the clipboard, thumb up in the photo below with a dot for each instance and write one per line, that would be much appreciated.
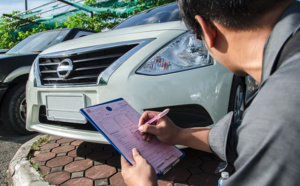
(142, 173)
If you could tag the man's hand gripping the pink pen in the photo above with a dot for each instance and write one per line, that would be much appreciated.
(164, 129)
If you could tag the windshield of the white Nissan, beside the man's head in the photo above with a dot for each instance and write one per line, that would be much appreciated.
(157, 15)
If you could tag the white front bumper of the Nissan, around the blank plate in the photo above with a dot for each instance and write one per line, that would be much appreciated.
(211, 95)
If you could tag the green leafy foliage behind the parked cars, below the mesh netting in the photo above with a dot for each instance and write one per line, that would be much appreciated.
(12, 31)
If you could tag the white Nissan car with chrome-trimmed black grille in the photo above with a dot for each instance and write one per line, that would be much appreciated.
(151, 60)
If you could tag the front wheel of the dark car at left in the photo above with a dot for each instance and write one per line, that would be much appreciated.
(14, 110)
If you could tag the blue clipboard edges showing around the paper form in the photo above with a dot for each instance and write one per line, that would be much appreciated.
(162, 171)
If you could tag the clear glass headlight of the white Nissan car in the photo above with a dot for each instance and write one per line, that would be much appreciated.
(183, 53)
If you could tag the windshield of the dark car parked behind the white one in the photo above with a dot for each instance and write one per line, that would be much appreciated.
(38, 42)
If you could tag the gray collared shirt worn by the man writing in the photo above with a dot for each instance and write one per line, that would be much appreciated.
(266, 142)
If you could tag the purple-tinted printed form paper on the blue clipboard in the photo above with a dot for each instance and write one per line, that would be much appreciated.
(119, 121)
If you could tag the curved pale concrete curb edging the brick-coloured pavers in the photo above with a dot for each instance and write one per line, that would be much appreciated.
(20, 170)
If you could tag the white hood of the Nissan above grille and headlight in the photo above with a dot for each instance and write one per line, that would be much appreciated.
(118, 35)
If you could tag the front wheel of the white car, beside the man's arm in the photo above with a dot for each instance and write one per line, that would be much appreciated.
(237, 99)
